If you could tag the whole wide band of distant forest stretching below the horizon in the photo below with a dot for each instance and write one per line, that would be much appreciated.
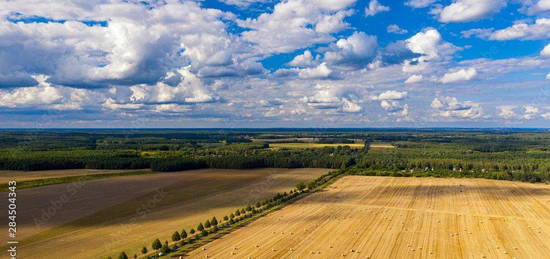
(496, 154)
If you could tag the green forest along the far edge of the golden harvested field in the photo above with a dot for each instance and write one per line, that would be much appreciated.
(461, 161)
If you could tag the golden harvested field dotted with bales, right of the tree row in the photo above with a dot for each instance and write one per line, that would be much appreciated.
(384, 217)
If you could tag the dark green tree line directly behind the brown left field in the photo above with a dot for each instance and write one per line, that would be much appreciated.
(240, 159)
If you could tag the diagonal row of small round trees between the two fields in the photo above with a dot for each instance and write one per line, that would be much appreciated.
(183, 239)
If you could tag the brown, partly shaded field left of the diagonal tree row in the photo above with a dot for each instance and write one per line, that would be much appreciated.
(100, 218)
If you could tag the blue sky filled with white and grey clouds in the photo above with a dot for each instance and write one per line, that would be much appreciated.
(268, 63)
